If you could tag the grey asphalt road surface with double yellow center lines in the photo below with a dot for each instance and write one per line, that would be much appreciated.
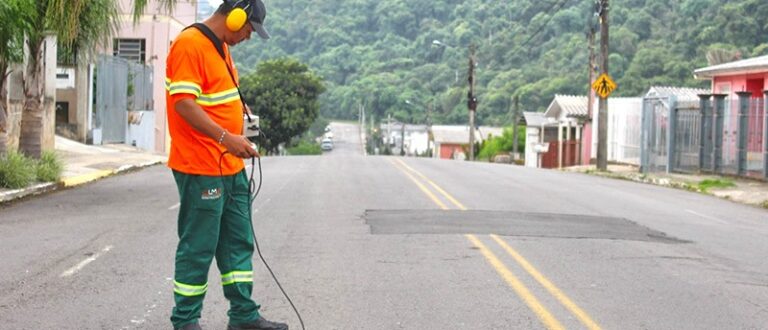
(369, 242)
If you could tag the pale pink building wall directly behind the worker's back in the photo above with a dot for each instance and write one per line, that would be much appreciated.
(158, 28)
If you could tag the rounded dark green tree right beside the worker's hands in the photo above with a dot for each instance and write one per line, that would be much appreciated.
(284, 94)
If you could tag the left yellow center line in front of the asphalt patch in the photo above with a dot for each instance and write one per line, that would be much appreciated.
(544, 315)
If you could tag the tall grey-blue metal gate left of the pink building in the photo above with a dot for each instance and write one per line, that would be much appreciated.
(111, 115)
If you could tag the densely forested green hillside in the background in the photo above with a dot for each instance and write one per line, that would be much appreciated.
(381, 52)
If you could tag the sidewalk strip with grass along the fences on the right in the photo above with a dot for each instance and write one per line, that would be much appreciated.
(745, 191)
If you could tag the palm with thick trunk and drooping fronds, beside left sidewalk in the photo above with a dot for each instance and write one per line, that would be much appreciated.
(78, 25)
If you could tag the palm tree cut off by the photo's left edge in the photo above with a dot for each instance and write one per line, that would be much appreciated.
(11, 39)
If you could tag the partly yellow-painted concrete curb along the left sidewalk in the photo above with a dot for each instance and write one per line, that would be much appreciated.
(69, 182)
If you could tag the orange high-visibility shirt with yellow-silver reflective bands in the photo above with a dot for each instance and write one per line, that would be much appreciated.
(195, 70)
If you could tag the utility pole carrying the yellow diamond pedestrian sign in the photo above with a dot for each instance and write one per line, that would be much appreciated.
(602, 125)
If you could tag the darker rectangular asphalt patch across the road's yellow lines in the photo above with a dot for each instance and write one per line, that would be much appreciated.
(510, 223)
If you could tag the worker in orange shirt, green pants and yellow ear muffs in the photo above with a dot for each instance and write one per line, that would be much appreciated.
(205, 120)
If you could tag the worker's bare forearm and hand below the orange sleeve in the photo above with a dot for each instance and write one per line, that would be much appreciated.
(236, 144)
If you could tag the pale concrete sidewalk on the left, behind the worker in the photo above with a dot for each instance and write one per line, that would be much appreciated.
(85, 163)
